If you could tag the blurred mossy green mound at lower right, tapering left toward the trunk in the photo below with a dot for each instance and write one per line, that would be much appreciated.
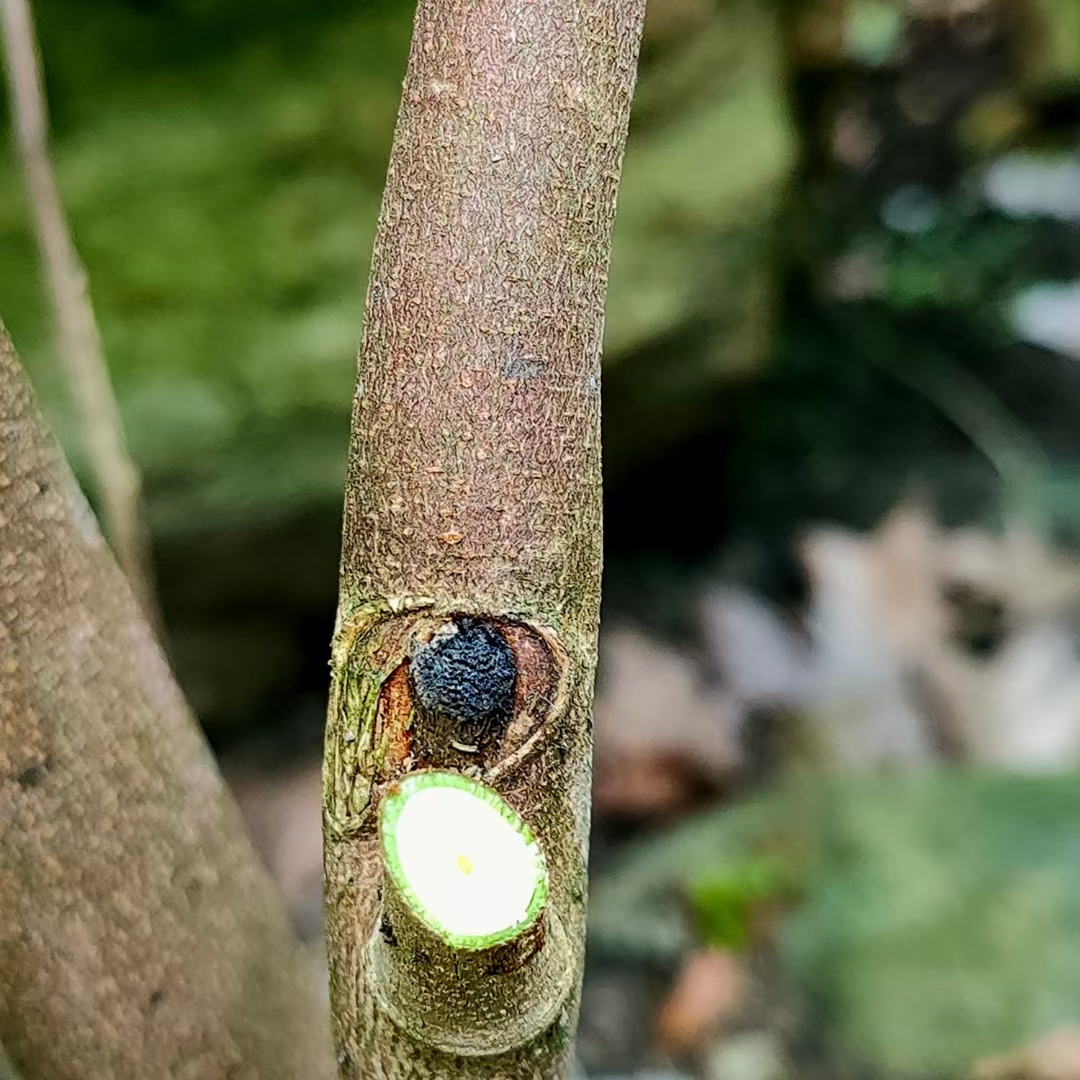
(936, 917)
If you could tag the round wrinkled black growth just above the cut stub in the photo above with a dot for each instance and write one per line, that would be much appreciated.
(466, 672)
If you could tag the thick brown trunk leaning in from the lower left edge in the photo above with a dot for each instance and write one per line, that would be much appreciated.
(140, 936)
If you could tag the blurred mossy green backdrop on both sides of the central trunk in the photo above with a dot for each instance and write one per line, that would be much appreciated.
(223, 167)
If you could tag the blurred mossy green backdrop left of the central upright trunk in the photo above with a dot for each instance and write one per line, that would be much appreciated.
(224, 196)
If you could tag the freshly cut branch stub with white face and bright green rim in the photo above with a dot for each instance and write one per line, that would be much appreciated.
(465, 904)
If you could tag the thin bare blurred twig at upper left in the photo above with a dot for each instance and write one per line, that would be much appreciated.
(114, 472)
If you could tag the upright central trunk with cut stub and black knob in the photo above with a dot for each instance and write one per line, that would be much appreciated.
(470, 573)
